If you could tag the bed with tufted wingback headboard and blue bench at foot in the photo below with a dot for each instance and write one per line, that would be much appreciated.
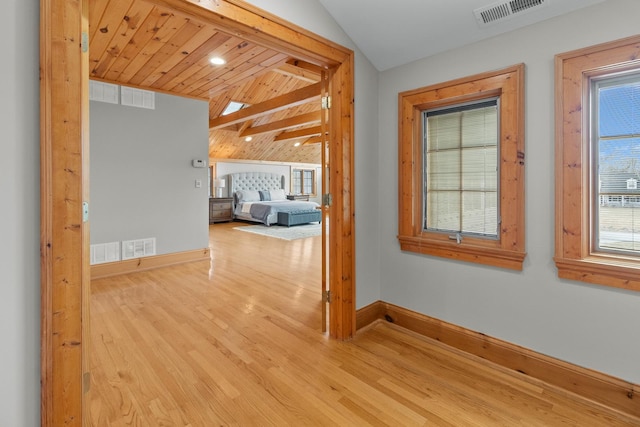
(260, 197)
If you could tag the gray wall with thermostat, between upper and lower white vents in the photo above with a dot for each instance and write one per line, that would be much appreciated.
(142, 180)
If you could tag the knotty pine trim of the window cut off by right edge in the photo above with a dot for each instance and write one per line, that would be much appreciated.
(574, 257)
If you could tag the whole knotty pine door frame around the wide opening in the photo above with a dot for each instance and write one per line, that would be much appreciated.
(64, 180)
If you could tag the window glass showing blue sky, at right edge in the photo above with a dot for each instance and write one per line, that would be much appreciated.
(617, 165)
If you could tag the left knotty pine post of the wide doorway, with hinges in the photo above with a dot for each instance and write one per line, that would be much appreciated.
(63, 234)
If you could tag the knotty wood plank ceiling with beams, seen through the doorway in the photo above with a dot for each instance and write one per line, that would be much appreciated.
(139, 44)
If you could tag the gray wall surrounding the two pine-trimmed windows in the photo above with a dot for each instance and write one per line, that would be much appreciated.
(589, 325)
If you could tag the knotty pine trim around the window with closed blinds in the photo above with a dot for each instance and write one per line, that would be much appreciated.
(508, 250)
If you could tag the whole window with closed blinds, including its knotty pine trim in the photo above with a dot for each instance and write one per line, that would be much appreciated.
(461, 169)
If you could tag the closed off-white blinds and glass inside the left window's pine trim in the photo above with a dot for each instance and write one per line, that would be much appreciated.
(461, 169)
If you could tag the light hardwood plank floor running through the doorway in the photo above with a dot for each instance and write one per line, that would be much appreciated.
(237, 342)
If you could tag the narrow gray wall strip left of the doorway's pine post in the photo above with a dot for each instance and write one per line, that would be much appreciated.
(20, 224)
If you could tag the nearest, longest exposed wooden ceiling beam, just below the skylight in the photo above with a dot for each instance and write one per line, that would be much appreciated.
(279, 103)
